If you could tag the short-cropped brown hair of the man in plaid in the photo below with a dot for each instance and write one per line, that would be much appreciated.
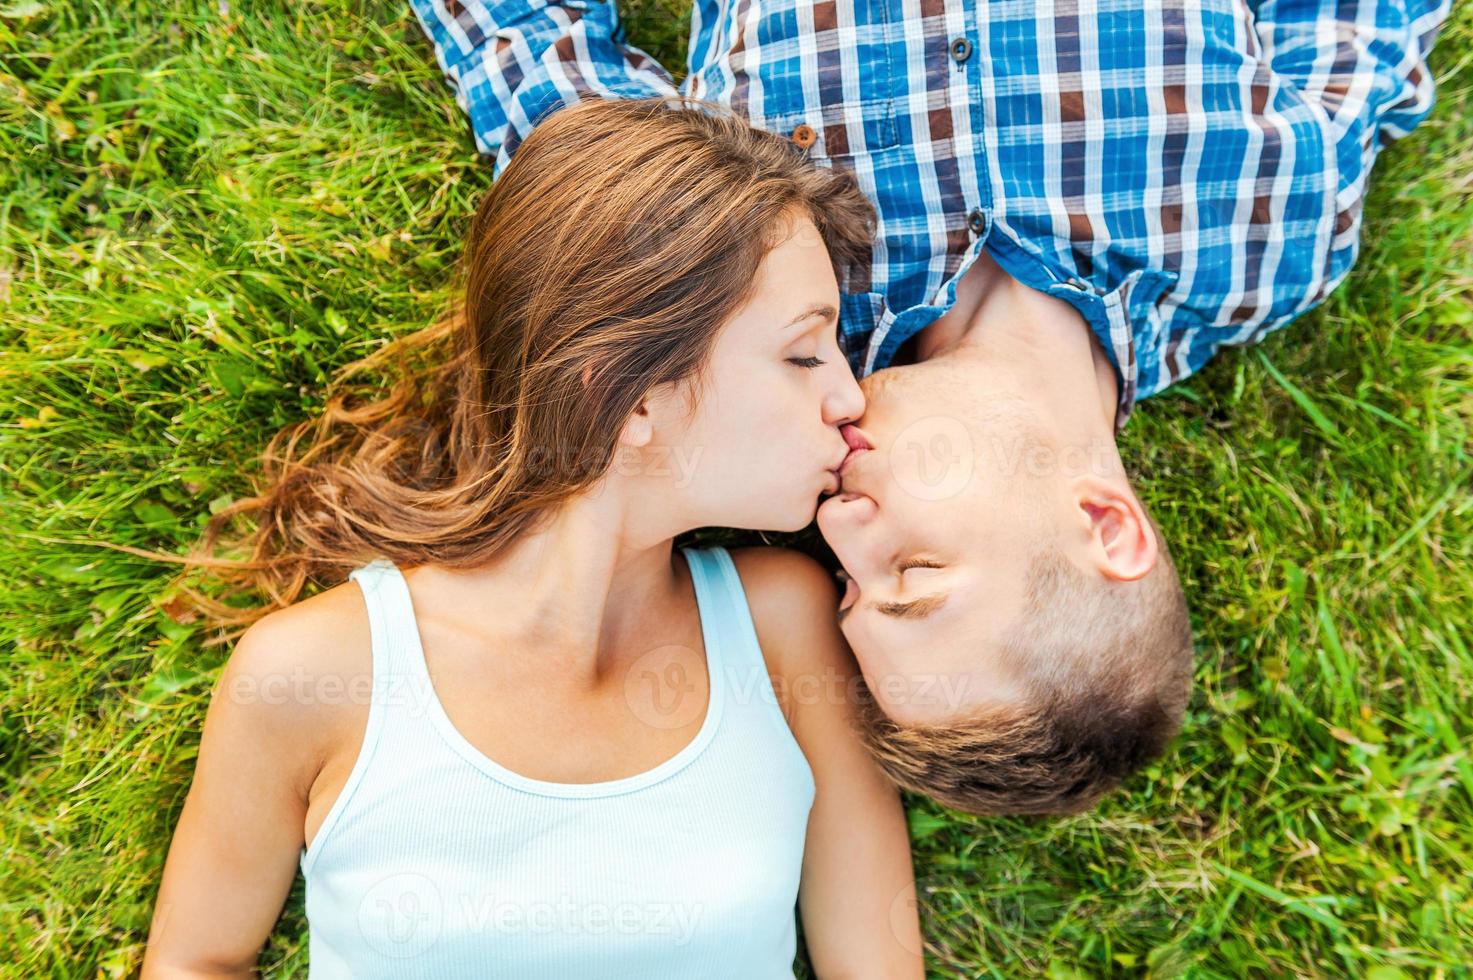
(1107, 673)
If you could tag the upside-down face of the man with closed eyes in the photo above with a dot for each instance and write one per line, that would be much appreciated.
(935, 527)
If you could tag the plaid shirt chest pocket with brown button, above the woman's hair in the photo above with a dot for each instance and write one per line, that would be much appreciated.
(829, 83)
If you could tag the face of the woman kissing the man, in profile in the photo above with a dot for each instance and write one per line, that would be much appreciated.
(764, 440)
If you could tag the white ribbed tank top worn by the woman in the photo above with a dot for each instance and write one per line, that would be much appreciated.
(435, 861)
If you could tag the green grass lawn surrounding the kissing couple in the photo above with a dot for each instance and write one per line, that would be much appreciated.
(203, 214)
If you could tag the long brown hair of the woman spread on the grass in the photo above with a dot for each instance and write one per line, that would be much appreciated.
(618, 241)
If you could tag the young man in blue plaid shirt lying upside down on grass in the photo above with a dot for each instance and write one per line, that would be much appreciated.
(1080, 201)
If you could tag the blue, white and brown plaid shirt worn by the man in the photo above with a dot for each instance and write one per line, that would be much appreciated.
(1188, 173)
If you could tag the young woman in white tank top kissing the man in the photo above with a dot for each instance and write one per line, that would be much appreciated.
(531, 738)
